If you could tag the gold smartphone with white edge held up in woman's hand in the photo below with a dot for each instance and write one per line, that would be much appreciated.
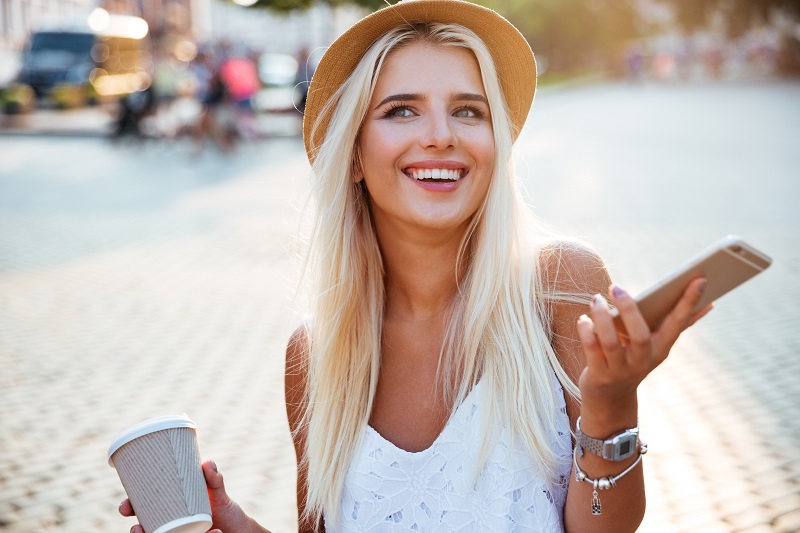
(726, 264)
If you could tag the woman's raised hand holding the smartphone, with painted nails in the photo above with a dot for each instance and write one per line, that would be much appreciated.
(616, 364)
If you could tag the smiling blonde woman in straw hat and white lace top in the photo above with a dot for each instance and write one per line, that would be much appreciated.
(451, 351)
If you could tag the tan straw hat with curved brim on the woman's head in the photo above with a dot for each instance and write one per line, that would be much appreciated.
(512, 55)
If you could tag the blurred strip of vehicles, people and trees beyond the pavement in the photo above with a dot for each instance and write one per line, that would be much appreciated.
(213, 68)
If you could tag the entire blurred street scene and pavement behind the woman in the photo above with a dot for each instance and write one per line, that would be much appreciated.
(153, 184)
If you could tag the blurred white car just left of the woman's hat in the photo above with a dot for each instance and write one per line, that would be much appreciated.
(277, 73)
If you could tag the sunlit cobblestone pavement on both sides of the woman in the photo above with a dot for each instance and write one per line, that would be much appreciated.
(145, 281)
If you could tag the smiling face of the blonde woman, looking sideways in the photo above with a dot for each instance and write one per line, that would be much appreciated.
(427, 146)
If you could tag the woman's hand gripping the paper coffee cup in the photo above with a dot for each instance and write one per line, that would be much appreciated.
(226, 514)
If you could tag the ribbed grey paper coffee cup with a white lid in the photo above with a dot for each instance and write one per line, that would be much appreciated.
(158, 463)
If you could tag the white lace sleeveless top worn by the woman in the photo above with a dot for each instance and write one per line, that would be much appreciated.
(389, 489)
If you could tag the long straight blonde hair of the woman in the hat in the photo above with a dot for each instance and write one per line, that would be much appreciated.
(500, 328)
